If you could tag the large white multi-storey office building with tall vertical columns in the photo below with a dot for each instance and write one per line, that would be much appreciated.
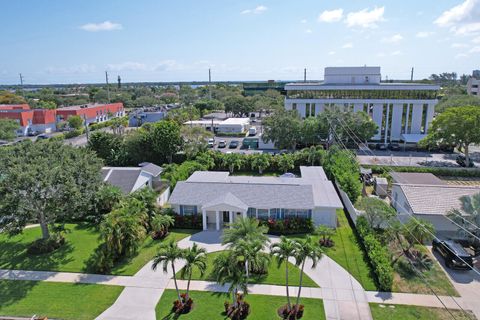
(402, 111)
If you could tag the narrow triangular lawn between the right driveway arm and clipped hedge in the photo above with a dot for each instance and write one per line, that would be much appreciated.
(348, 253)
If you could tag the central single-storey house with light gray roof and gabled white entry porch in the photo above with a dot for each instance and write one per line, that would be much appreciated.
(221, 198)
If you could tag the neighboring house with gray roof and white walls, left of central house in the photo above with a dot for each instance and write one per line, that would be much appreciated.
(131, 179)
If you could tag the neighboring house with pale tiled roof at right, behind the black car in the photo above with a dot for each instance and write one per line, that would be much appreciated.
(425, 197)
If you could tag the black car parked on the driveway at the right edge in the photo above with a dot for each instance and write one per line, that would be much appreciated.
(453, 253)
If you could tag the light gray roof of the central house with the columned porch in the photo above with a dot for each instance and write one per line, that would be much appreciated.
(312, 190)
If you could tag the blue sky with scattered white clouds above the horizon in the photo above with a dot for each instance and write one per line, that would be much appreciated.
(76, 41)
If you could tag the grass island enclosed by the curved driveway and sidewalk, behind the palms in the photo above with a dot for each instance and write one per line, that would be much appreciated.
(275, 276)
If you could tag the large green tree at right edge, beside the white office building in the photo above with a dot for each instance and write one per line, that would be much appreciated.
(458, 126)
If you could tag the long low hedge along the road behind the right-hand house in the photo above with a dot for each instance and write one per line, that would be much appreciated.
(440, 171)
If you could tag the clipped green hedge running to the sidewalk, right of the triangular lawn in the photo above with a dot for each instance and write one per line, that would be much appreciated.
(378, 255)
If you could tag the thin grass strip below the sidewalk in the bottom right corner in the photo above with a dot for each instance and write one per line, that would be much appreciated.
(401, 312)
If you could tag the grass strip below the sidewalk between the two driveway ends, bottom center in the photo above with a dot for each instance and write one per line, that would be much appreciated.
(209, 305)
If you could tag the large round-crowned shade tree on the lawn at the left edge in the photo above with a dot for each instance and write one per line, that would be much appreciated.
(44, 182)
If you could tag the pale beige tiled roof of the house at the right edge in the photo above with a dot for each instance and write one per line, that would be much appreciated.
(435, 199)
